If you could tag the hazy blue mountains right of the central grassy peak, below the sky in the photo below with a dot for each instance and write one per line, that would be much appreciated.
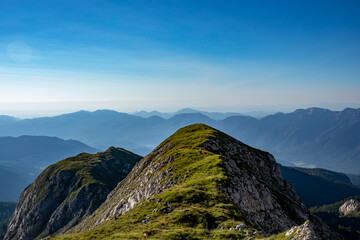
(309, 138)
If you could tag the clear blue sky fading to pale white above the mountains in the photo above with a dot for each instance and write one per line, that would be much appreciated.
(62, 56)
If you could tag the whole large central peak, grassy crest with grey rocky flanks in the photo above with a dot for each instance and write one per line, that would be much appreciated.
(202, 184)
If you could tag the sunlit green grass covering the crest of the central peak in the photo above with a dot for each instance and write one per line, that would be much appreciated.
(192, 209)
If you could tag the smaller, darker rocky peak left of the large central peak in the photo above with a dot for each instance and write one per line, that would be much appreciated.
(68, 191)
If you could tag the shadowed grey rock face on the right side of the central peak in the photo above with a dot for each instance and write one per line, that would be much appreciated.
(257, 188)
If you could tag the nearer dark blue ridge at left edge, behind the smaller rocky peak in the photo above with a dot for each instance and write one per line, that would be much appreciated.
(23, 158)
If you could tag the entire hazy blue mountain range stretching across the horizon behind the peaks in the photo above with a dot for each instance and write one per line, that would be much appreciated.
(311, 137)
